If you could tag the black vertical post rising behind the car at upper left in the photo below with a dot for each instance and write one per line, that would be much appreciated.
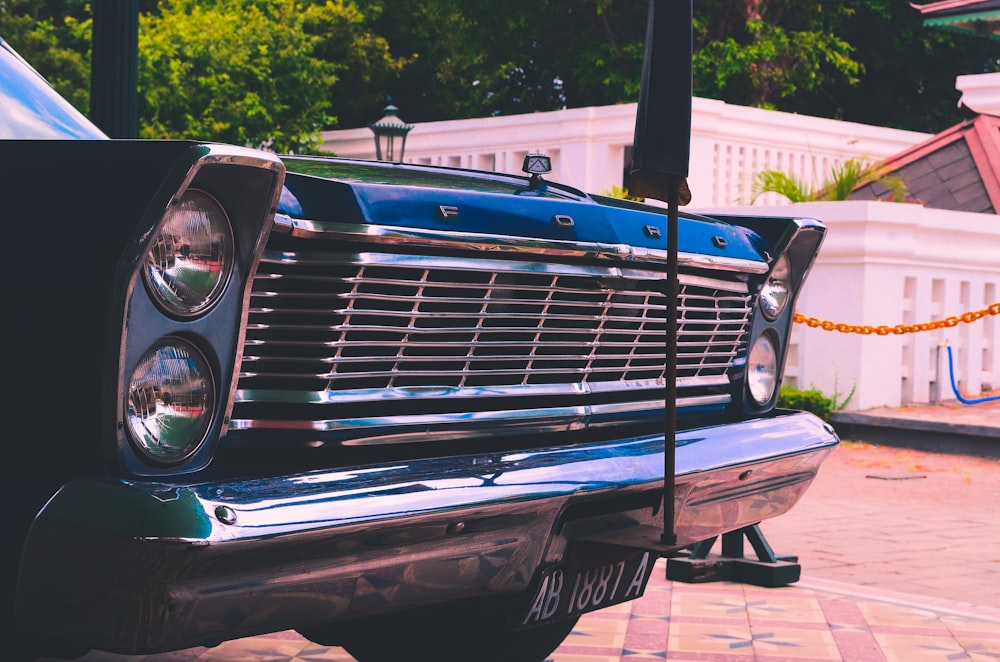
(114, 67)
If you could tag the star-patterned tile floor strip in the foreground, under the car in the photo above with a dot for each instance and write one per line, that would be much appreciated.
(716, 622)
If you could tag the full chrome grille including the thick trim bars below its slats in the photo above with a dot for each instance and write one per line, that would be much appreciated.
(346, 329)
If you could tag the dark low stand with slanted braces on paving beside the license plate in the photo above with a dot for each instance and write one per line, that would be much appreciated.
(768, 570)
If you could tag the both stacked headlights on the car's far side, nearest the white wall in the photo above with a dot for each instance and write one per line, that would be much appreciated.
(762, 361)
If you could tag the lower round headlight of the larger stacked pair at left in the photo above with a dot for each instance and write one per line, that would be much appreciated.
(170, 401)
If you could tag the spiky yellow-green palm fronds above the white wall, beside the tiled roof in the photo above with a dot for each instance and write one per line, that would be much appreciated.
(839, 184)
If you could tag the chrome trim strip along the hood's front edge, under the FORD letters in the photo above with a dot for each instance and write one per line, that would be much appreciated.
(481, 242)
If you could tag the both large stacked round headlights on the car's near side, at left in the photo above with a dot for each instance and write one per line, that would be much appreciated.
(171, 393)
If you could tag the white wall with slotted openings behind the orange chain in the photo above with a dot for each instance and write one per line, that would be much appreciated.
(887, 264)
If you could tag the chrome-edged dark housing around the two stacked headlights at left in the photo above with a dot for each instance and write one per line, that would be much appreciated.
(245, 185)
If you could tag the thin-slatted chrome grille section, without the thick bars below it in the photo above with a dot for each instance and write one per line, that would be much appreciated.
(381, 321)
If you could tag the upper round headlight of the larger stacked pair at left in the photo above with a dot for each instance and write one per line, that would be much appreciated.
(190, 259)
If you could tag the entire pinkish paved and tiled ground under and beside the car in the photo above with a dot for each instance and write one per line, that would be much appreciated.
(900, 555)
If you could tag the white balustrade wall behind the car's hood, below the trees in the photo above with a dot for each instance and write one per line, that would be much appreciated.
(590, 146)
